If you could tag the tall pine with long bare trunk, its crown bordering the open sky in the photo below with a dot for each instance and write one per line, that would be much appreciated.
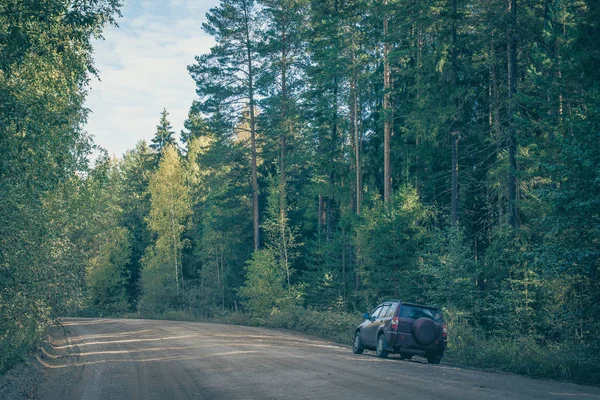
(225, 78)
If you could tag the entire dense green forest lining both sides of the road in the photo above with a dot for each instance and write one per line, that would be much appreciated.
(338, 153)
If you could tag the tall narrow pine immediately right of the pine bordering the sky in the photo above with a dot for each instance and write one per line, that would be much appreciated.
(282, 53)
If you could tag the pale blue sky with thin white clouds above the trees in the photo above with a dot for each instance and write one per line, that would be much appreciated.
(143, 69)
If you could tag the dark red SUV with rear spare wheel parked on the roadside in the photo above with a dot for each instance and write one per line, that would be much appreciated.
(403, 328)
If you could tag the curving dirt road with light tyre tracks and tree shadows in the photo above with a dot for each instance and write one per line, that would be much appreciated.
(142, 359)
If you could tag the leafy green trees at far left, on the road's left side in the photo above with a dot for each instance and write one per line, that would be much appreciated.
(45, 65)
